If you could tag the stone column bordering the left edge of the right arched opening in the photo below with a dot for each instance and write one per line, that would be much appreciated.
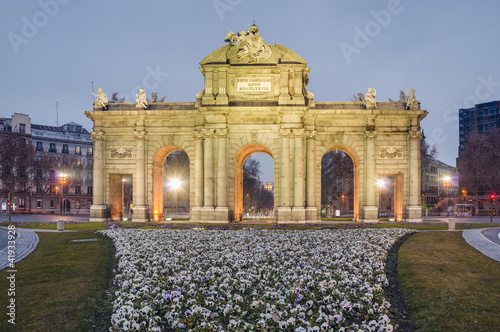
(311, 208)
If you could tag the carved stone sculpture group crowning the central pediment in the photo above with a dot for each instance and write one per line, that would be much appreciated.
(249, 44)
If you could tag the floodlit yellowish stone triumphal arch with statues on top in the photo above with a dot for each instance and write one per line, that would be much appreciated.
(254, 99)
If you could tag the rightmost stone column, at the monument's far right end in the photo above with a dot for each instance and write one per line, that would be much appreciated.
(413, 209)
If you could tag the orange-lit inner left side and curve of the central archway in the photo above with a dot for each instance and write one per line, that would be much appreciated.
(239, 161)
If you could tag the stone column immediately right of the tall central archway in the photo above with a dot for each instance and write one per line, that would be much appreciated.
(284, 209)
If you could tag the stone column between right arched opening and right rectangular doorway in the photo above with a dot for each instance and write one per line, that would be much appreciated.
(370, 210)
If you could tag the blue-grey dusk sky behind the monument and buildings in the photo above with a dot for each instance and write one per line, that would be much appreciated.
(51, 51)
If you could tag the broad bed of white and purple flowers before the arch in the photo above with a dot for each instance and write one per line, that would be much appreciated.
(260, 280)
